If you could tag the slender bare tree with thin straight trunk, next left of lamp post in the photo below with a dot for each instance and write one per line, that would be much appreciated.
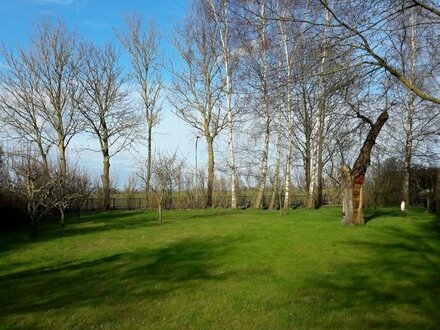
(142, 44)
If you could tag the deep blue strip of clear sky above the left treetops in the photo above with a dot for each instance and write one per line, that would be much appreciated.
(93, 19)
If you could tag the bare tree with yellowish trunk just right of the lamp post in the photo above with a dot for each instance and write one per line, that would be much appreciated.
(196, 88)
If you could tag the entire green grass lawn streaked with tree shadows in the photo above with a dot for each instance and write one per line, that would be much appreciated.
(223, 269)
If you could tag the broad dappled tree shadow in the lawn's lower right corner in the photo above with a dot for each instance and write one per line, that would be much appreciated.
(393, 284)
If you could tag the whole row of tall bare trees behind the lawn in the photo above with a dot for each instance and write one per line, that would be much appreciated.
(287, 96)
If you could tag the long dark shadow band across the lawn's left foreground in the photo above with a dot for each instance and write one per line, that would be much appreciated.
(119, 278)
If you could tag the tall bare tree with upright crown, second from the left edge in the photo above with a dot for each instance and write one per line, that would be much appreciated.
(53, 60)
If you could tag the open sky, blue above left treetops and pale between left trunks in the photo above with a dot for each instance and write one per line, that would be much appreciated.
(96, 20)
